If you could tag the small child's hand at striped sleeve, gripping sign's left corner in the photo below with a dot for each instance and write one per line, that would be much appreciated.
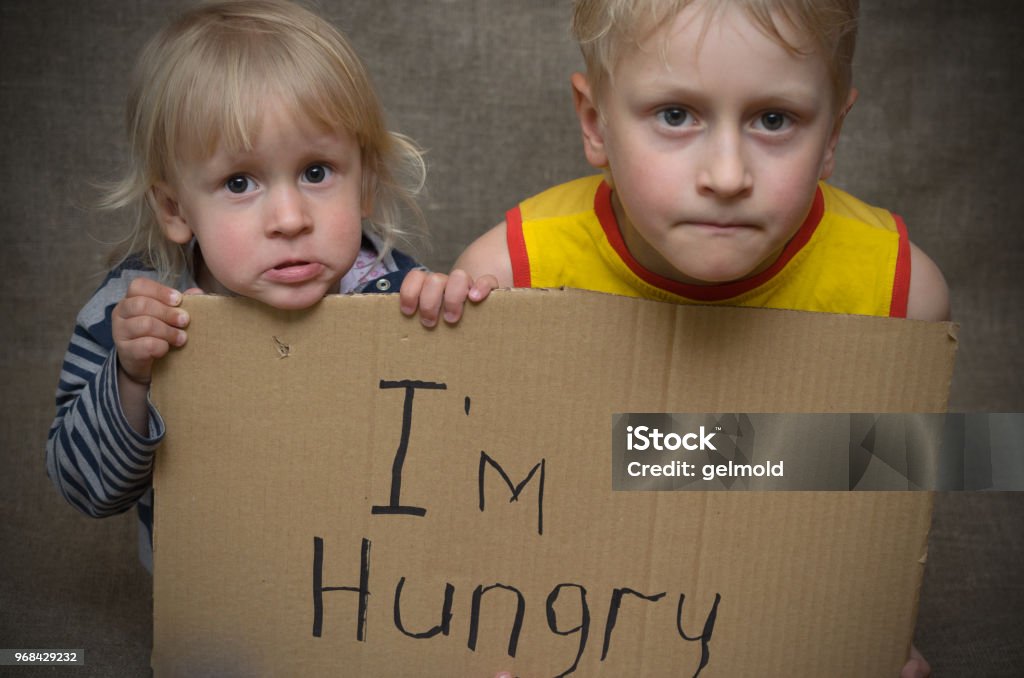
(147, 323)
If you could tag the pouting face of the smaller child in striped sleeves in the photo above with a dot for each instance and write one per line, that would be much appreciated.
(282, 223)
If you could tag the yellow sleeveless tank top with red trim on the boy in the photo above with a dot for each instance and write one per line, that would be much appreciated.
(847, 258)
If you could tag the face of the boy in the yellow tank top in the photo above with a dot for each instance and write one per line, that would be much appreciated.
(715, 144)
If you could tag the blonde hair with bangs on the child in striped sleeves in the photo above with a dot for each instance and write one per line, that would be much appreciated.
(203, 82)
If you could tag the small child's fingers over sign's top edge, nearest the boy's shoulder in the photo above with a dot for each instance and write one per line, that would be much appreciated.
(432, 292)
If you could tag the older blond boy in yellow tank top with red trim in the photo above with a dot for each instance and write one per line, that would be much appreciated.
(715, 124)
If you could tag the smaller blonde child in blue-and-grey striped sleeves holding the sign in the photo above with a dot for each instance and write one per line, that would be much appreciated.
(261, 166)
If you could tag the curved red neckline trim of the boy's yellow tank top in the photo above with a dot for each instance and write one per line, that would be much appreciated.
(607, 216)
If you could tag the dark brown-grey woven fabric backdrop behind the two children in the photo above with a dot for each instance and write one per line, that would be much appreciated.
(484, 87)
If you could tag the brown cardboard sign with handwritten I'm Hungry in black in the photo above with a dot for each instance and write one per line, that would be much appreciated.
(345, 493)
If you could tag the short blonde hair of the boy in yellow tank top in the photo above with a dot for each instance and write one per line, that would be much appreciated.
(608, 29)
